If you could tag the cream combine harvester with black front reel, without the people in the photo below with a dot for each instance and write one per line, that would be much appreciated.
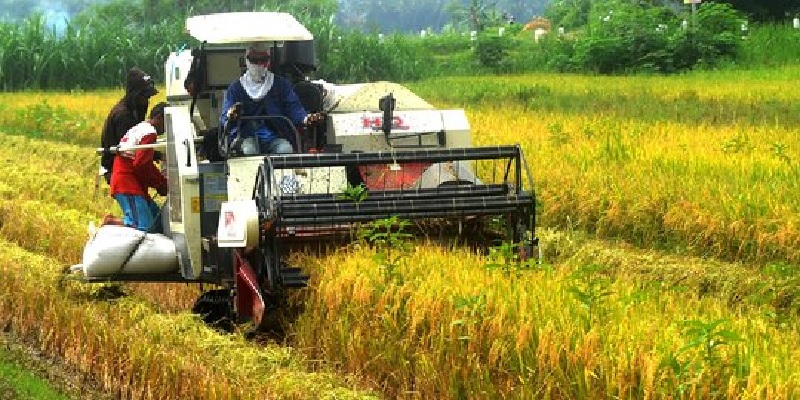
(230, 220)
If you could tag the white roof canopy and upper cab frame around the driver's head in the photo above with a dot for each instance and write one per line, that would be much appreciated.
(220, 58)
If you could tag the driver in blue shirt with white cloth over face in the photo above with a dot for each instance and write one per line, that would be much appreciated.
(259, 92)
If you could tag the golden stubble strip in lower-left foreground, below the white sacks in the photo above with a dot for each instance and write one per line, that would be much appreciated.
(137, 353)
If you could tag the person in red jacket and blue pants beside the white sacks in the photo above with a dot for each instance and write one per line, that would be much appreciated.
(134, 172)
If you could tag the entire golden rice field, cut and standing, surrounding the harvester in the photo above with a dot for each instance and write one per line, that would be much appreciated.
(670, 235)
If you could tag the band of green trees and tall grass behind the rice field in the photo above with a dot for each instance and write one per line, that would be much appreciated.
(97, 46)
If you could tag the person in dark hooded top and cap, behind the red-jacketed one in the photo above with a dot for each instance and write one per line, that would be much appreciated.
(129, 111)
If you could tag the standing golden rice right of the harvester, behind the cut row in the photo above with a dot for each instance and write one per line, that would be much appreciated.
(702, 164)
